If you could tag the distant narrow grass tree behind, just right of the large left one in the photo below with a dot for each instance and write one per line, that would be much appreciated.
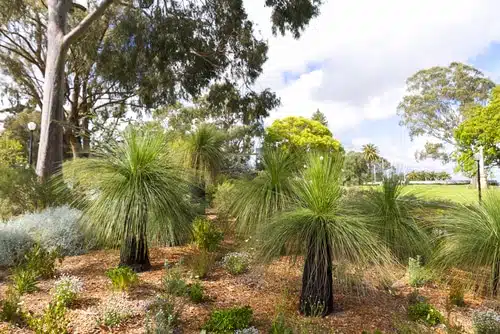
(205, 154)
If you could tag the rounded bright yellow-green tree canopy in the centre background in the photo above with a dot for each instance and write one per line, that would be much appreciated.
(300, 134)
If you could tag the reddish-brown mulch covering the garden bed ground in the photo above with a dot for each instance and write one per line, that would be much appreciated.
(262, 288)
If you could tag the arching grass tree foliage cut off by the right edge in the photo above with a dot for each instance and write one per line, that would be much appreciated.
(471, 239)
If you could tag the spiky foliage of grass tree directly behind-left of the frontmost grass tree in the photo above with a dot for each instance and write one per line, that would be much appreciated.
(257, 200)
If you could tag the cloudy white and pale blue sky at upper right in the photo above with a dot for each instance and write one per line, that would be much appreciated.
(353, 60)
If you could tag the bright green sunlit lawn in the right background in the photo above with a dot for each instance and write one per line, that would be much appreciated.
(454, 193)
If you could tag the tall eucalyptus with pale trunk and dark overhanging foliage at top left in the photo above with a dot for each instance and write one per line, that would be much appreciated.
(161, 50)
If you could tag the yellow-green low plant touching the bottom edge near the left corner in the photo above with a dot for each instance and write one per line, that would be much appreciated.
(51, 321)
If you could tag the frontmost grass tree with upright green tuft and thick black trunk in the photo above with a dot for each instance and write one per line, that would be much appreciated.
(320, 224)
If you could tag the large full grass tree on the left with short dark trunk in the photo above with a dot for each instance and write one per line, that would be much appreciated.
(134, 195)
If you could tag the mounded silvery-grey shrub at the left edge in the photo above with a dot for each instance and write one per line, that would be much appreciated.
(53, 228)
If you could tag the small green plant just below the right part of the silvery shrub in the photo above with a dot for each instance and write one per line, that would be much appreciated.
(41, 261)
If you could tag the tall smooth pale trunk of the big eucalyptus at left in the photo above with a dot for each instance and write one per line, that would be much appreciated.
(50, 151)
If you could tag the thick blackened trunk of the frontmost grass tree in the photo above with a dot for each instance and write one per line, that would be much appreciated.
(317, 282)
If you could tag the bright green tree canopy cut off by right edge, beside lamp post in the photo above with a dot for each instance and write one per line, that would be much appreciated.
(482, 128)
